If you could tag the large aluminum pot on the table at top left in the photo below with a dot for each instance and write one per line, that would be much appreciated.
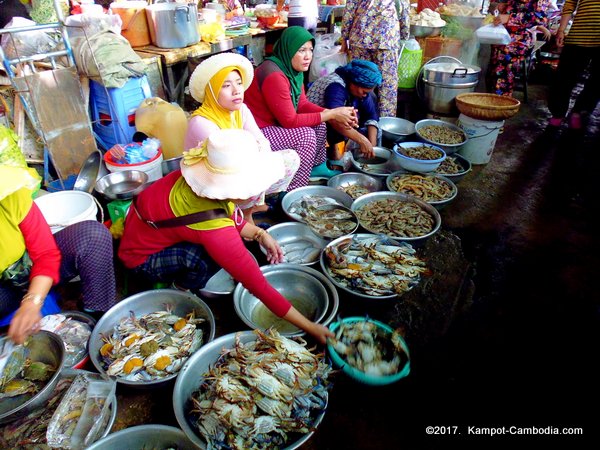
(173, 25)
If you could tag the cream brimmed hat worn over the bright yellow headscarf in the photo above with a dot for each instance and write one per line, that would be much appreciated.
(210, 66)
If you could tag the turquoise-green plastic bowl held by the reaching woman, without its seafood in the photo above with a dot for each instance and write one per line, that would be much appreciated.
(358, 375)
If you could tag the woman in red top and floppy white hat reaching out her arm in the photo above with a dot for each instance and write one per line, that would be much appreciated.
(165, 239)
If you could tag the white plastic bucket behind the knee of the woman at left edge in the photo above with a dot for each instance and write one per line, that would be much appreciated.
(64, 208)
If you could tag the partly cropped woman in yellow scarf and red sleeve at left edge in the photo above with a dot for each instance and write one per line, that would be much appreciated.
(32, 259)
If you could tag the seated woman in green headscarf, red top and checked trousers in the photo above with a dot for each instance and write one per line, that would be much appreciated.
(288, 120)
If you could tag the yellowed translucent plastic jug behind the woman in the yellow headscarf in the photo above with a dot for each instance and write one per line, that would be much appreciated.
(164, 121)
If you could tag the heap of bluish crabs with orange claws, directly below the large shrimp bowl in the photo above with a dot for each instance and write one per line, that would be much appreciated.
(374, 265)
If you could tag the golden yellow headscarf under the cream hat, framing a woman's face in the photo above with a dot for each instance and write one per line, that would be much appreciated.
(211, 109)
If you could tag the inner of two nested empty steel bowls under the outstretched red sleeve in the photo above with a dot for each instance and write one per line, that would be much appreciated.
(305, 291)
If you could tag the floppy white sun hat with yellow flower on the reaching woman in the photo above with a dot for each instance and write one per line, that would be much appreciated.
(231, 166)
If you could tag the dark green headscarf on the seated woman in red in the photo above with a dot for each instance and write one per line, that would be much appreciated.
(284, 50)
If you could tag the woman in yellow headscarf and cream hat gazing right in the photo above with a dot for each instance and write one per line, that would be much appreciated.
(219, 83)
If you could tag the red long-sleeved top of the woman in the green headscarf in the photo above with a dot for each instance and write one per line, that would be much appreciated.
(276, 108)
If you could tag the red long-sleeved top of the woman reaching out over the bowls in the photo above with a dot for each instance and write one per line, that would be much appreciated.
(224, 245)
